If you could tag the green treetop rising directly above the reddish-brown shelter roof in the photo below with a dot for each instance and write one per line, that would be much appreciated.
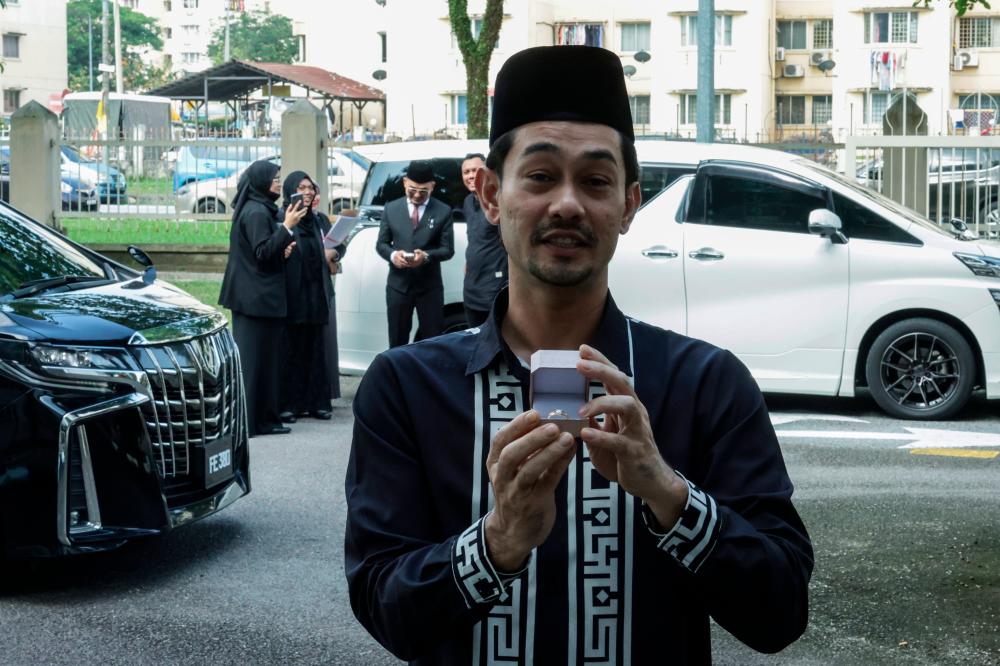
(257, 35)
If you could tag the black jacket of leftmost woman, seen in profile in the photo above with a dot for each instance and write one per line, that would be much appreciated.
(254, 283)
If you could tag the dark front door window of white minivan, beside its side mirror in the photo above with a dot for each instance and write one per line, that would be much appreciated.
(759, 204)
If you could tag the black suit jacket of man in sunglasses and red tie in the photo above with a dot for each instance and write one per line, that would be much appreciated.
(433, 235)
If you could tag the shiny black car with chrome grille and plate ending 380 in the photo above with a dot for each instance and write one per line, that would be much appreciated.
(121, 400)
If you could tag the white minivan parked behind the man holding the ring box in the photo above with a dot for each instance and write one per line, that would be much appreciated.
(820, 285)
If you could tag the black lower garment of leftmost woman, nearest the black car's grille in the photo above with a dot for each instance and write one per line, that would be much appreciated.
(261, 341)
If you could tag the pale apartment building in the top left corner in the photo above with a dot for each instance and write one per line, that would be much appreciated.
(34, 53)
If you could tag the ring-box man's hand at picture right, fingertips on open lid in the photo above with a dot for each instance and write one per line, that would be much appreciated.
(622, 449)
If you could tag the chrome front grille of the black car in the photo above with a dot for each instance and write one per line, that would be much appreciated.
(197, 398)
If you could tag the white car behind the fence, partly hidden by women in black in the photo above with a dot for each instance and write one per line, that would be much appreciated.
(345, 178)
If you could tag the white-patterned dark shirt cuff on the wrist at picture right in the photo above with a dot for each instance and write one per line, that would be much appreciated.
(693, 537)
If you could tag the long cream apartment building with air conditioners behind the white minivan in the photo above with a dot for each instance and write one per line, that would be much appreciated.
(785, 70)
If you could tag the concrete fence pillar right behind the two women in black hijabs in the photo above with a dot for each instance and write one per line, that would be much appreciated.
(303, 145)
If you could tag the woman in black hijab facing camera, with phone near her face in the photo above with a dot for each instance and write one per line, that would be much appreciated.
(307, 288)
